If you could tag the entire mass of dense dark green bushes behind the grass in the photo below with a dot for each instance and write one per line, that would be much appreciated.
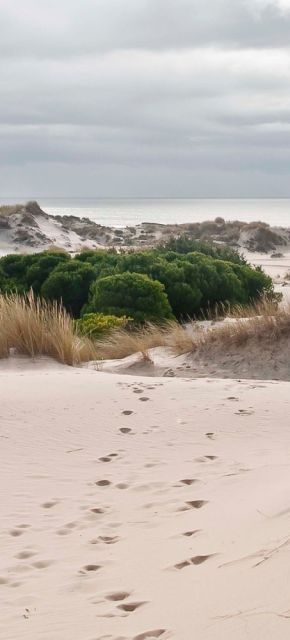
(190, 277)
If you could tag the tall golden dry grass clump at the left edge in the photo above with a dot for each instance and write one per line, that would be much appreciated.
(35, 327)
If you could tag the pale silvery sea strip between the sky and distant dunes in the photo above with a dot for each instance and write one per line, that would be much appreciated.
(122, 212)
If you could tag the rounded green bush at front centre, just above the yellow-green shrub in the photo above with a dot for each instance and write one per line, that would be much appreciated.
(132, 295)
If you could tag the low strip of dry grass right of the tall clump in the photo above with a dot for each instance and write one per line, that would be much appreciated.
(262, 321)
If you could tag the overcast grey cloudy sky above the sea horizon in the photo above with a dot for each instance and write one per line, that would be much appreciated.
(144, 98)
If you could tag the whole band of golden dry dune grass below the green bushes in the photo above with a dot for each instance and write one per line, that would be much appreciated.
(35, 327)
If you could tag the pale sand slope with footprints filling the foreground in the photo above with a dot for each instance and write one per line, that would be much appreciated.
(170, 522)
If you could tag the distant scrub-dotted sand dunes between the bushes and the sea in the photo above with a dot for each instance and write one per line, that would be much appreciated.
(27, 227)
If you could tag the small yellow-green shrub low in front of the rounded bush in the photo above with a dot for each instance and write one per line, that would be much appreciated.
(97, 325)
